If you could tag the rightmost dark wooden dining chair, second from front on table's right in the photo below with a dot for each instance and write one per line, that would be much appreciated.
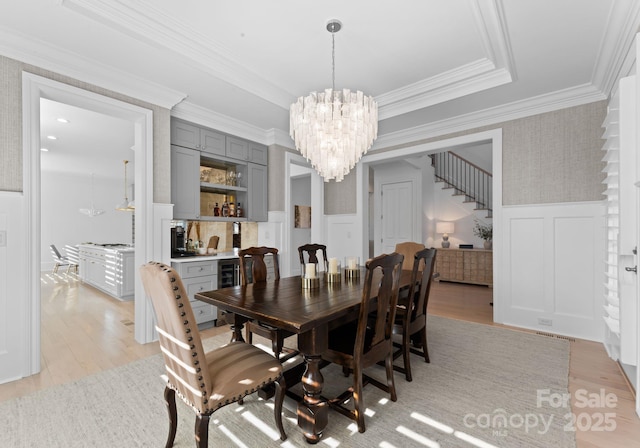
(411, 314)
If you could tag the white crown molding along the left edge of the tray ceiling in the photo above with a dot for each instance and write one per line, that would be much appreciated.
(147, 23)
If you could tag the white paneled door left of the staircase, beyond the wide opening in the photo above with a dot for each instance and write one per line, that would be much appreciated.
(397, 215)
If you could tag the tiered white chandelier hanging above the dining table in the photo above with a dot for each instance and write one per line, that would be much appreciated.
(335, 128)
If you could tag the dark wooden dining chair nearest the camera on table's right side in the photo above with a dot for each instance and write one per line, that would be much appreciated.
(361, 344)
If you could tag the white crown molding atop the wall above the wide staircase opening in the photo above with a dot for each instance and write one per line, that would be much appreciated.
(563, 99)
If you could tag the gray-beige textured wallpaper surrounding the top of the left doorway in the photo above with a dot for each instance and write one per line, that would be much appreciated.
(11, 127)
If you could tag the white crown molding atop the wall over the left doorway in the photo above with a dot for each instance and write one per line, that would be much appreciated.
(38, 53)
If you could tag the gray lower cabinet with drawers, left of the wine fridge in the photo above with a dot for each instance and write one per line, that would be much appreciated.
(199, 276)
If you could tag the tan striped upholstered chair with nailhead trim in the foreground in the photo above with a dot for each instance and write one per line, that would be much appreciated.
(206, 381)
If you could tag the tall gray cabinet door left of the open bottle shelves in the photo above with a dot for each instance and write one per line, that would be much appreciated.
(185, 182)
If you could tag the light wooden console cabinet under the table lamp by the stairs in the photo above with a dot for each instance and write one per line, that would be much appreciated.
(473, 266)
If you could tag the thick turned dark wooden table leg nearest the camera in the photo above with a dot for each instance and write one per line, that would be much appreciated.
(313, 410)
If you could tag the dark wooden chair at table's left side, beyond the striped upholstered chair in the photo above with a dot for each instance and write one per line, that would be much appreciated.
(259, 273)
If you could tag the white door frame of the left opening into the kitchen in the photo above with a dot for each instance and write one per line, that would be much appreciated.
(35, 87)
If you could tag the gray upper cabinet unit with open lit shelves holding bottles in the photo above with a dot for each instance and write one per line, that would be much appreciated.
(209, 169)
